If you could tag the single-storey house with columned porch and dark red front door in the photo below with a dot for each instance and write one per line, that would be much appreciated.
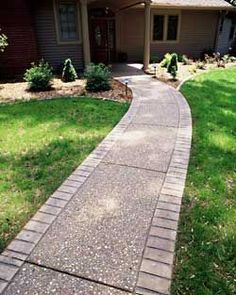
(111, 30)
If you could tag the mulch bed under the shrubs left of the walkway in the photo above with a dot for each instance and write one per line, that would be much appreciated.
(15, 91)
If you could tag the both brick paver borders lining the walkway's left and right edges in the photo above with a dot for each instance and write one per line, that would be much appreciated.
(157, 263)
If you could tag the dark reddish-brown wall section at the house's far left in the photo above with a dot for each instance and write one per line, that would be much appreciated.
(16, 23)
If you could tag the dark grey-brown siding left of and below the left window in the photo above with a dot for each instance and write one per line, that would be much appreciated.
(49, 49)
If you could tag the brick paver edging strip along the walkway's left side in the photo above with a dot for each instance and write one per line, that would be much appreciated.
(21, 247)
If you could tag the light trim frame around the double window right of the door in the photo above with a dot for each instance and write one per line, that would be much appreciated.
(166, 13)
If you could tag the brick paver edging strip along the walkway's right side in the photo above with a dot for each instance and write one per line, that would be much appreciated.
(157, 263)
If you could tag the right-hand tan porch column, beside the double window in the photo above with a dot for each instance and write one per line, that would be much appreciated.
(146, 59)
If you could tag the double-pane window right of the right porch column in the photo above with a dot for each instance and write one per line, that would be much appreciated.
(165, 27)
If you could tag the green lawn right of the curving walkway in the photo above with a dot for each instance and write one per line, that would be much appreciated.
(206, 255)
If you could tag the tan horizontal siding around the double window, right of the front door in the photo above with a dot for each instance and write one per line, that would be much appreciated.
(197, 33)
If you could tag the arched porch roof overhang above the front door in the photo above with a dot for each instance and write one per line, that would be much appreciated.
(118, 5)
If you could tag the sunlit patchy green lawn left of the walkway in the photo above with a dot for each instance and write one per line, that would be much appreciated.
(41, 142)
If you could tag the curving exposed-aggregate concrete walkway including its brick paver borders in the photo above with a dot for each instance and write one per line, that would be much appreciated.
(111, 226)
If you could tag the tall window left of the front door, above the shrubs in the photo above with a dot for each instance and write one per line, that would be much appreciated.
(66, 13)
